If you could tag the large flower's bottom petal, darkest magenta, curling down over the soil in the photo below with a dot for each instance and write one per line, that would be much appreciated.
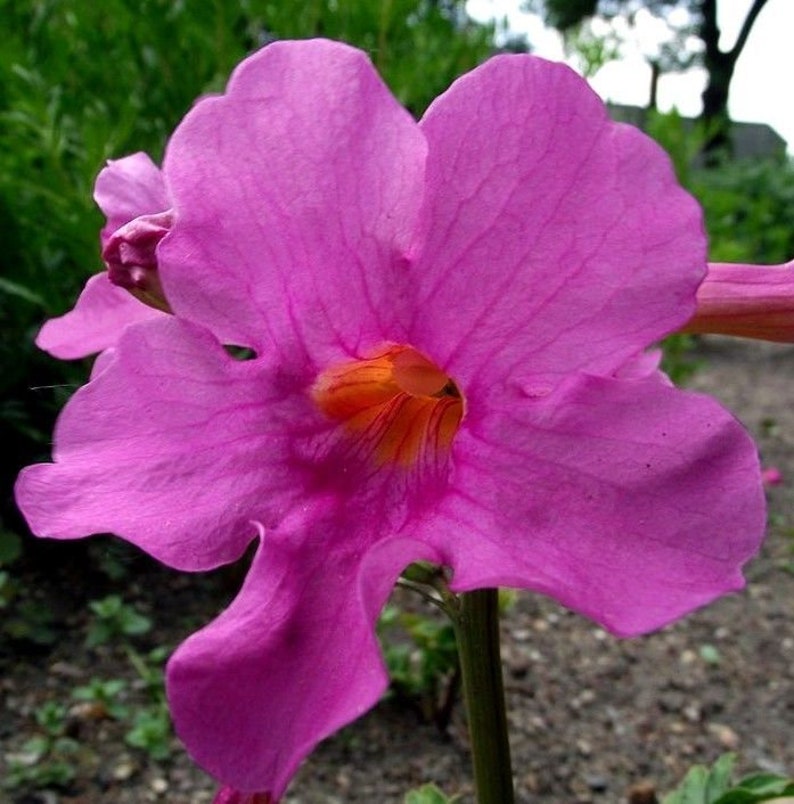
(294, 657)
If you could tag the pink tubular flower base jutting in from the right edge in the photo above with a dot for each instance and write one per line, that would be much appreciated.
(753, 301)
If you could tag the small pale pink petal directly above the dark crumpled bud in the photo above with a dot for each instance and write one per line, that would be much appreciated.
(127, 188)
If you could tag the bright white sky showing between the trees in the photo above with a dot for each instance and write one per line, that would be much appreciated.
(762, 90)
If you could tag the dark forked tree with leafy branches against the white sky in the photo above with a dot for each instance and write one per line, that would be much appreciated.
(700, 20)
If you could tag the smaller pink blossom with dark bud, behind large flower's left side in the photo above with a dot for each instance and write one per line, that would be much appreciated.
(132, 194)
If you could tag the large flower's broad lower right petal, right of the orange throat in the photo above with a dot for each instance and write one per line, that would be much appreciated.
(628, 501)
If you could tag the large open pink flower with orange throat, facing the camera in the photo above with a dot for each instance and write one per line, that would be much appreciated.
(445, 319)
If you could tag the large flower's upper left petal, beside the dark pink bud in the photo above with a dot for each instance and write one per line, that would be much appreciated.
(296, 193)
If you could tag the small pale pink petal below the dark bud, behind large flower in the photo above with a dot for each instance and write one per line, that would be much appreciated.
(100, 314)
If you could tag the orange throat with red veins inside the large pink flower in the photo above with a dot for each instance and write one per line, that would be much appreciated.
(400, 406)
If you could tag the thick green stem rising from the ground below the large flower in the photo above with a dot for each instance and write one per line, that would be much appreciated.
(477, 631)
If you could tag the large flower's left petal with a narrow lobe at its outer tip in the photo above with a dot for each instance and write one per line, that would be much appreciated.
(174, 446)
